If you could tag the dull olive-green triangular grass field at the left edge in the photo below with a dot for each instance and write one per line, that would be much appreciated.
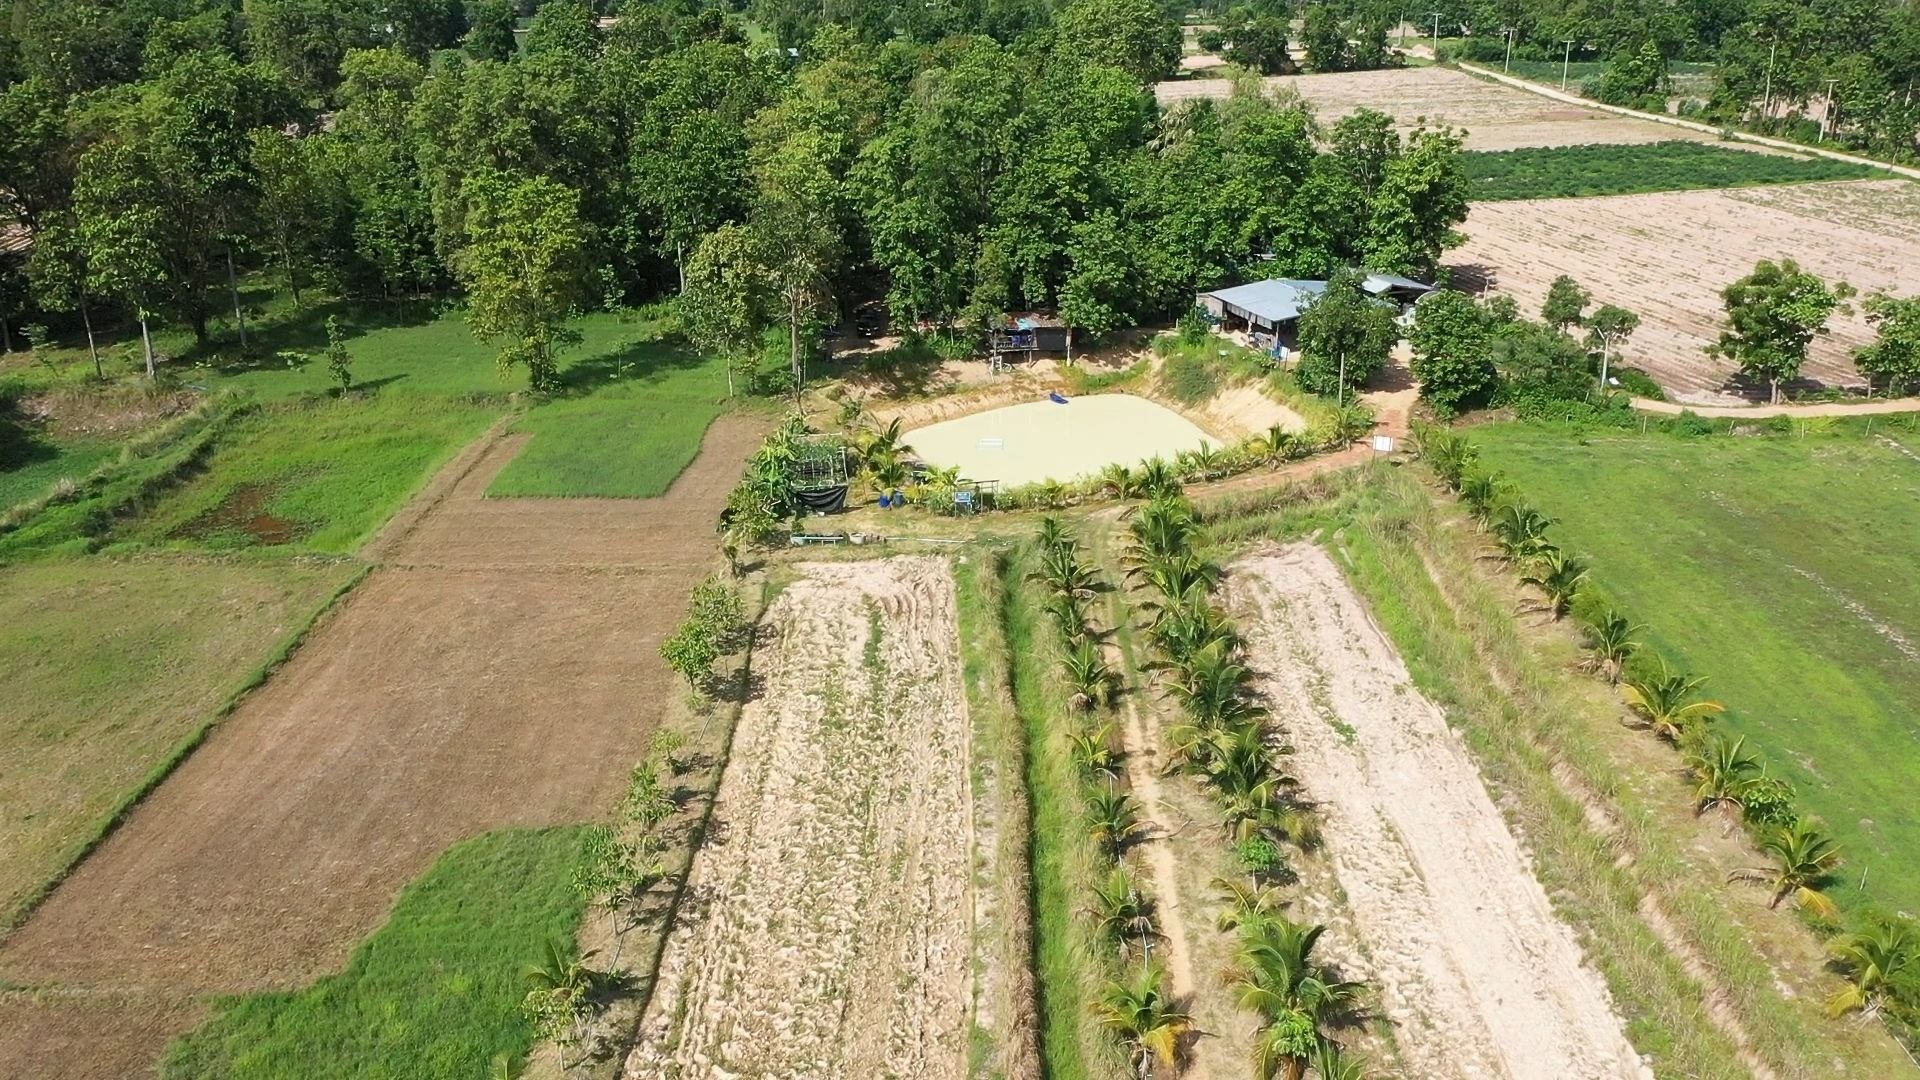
(112, 666)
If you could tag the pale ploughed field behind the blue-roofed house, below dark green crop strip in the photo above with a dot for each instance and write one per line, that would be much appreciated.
(1668, 258)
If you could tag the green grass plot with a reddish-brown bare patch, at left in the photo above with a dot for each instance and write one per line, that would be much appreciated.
(318, 476)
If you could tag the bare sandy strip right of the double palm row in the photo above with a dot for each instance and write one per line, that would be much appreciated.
(1472, 966)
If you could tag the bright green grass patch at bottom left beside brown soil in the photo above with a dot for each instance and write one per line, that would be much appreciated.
(433, 994)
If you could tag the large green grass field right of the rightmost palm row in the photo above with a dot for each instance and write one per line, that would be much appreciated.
(1783, 570)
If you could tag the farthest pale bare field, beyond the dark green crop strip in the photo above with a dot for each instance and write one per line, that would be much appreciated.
(1497, 118)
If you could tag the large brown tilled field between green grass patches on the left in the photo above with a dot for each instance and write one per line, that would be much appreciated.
(500, 670)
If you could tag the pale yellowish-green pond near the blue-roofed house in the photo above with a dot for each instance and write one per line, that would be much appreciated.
(1040, 441)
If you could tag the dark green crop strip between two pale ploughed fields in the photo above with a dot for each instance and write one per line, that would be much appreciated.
(1572, 172)
